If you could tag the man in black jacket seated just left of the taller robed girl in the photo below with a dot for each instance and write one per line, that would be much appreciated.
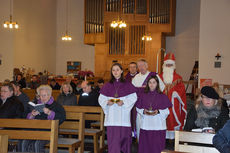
(89, 97)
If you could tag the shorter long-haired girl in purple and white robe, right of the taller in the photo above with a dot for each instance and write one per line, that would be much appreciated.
(152, 106)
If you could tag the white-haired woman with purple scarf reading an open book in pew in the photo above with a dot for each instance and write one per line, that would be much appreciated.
(51, 111)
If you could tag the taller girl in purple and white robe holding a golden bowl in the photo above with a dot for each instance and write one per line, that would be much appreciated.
(117, 97)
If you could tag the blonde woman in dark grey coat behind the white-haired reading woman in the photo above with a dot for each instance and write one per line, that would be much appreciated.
(67, 97)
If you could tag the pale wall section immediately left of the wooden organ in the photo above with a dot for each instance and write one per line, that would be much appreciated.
(75, 50)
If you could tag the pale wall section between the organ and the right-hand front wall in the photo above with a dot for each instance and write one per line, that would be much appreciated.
(185, 43)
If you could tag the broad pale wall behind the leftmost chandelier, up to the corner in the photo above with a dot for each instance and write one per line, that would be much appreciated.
(34, 43)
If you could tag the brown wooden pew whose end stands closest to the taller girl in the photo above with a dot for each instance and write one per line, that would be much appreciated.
(97, 115)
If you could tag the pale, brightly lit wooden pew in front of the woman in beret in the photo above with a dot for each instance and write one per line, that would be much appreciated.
(194, 142)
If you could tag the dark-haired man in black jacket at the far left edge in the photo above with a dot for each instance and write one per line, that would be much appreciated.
(10, 106)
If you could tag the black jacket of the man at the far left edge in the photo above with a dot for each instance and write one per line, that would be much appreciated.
(12, 108)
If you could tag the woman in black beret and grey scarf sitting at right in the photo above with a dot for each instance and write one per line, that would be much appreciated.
(208, 112)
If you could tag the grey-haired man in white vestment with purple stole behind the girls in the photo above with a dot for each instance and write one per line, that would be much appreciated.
(140, 81)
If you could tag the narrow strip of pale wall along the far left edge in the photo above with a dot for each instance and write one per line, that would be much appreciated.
(6, 47)
